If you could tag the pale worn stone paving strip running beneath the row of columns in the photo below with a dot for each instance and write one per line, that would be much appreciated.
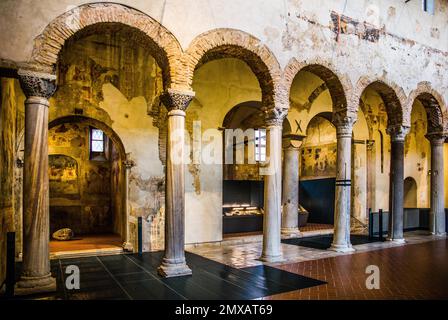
(247, 254)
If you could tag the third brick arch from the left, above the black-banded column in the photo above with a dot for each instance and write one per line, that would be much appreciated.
(339, 85)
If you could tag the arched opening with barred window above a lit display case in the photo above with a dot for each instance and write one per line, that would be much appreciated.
(243, 186)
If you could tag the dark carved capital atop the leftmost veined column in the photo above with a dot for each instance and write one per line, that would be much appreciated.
(36, 84)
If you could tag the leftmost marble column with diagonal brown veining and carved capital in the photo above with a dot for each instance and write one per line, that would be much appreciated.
(36, 276)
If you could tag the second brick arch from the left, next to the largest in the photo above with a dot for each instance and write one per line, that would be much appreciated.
(231, 43)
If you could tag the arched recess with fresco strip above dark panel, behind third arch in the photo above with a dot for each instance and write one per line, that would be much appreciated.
(318, 169)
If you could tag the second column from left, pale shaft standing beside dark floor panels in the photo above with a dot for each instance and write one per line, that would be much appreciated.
(174, 263)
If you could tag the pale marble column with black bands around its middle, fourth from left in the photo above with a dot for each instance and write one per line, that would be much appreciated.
(341, 236)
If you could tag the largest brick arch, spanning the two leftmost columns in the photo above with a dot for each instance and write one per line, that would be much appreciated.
(166, 49)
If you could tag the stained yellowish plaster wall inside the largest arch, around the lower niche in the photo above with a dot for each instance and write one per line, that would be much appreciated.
(113, 72)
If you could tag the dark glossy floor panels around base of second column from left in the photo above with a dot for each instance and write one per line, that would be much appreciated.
(135, 277)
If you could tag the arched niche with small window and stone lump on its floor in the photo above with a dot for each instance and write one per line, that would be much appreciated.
(87, 184)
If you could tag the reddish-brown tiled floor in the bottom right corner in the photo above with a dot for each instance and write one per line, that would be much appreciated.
(416, 271)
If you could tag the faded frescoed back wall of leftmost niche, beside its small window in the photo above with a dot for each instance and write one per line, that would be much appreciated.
(80, 188)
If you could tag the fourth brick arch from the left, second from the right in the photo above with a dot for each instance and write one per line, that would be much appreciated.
(392, 95)
